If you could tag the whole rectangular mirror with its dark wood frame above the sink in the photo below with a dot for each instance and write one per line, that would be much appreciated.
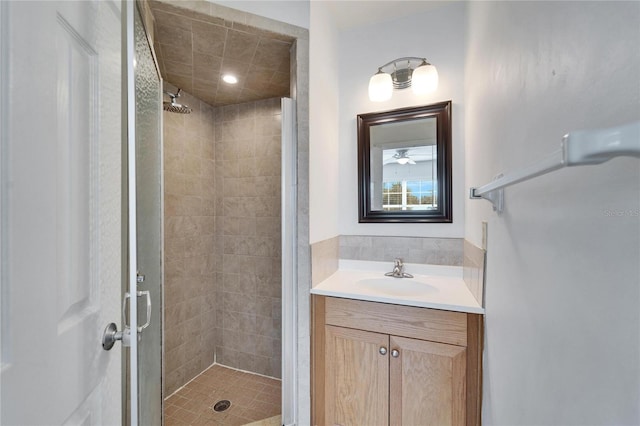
(404, 165)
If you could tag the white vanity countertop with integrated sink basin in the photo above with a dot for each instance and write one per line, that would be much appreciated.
(433, 286)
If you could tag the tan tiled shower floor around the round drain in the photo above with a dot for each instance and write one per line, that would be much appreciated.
(252, 397)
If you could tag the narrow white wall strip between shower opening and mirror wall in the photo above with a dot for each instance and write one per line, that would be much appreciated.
(323, 125)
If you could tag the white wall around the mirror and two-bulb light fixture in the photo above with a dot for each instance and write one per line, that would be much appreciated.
(438, 35)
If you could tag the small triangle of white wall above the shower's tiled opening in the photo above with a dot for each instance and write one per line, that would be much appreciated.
(294, 12)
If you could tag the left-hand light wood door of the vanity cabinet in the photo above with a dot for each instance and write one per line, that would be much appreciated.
(357, 377)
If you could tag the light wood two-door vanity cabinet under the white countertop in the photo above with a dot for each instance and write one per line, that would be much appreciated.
(382, 364)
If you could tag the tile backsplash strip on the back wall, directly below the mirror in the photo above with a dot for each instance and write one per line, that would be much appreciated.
(434, 251)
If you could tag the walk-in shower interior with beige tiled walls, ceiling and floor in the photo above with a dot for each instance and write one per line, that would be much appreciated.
(224, 197)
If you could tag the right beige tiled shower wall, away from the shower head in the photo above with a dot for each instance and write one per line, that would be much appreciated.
(248, 243)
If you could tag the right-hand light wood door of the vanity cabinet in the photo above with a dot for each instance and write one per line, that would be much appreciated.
(427, 383)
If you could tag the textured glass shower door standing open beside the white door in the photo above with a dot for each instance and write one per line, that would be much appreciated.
(149, 244)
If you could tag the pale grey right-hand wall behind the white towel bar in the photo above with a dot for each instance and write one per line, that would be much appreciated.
(563, 282)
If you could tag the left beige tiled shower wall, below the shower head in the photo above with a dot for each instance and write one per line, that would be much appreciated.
(190, 280)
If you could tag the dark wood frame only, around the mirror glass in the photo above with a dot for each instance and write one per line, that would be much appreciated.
(443, 214)
